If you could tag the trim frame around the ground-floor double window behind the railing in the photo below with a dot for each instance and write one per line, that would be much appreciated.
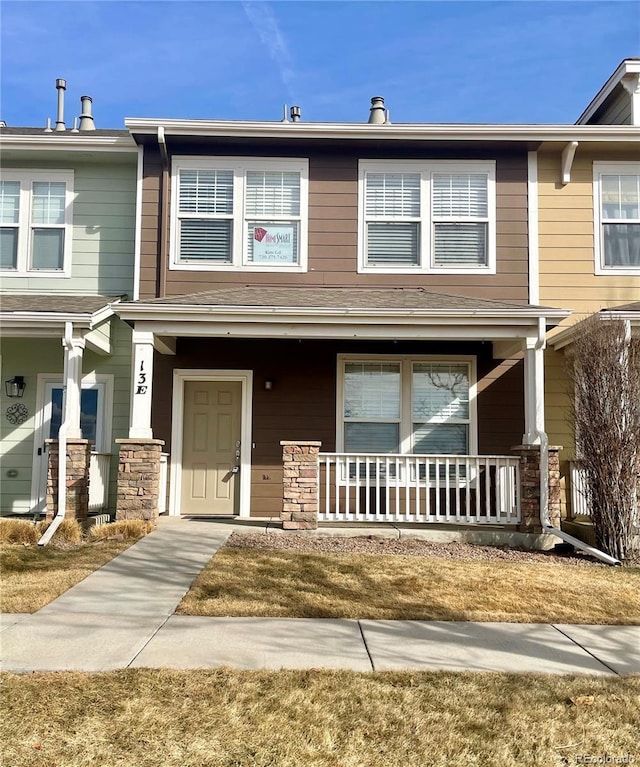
(406, 382)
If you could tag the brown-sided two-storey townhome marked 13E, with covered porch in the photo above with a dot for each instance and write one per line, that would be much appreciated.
(338, 322)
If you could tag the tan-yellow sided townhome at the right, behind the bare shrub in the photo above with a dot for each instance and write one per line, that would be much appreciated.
(588, 212)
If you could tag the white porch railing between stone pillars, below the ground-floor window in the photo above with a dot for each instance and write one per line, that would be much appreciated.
(481, 489)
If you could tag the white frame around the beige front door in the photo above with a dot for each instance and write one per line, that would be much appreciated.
(180, 376)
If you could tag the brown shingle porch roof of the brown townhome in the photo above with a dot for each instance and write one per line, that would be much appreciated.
(331, 298)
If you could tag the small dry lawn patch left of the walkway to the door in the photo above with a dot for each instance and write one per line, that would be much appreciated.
(31, 577)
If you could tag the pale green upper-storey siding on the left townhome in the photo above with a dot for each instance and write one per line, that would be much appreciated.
(103, 232)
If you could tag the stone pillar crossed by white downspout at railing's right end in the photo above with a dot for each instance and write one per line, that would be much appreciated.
(530, 486)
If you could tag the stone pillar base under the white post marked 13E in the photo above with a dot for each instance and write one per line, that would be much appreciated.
(139, 479)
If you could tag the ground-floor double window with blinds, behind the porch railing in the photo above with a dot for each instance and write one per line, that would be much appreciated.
(407, 405)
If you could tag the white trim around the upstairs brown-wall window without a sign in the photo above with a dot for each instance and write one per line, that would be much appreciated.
(427, 168)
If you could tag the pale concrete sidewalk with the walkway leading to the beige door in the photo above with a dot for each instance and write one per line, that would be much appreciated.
(123, 616)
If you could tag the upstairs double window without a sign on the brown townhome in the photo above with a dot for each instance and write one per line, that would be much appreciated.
(427, 216)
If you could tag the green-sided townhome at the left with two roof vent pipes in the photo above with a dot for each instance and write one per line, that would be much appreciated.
(67, 235)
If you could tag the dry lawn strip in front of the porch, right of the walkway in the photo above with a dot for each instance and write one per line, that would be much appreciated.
(279, 583)
